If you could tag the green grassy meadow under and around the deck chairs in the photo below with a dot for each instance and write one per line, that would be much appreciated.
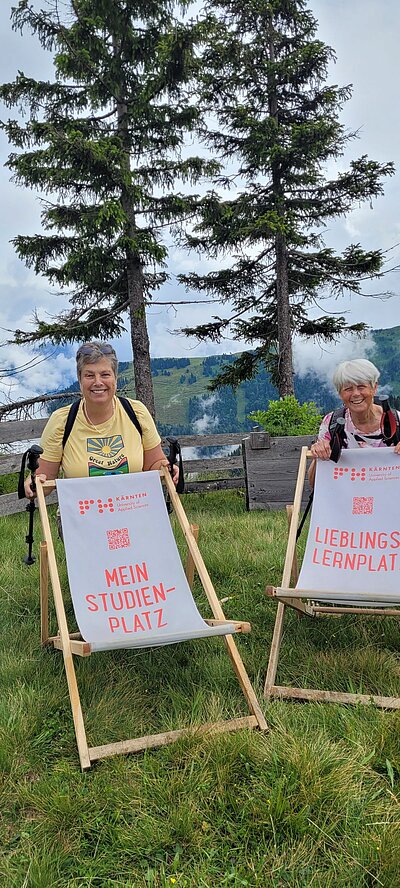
(312, 802)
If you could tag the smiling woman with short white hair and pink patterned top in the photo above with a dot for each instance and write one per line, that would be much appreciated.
(356, 383)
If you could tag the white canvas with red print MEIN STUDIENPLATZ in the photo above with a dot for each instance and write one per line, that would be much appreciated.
(126, 577)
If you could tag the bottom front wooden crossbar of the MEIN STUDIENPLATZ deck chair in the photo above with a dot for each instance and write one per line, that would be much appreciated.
(155, 740)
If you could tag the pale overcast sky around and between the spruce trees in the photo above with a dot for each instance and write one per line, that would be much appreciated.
(364, 35)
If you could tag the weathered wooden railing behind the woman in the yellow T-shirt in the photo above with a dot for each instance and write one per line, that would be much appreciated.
(20, 433)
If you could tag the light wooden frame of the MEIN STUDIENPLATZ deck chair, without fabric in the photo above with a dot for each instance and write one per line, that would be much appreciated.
(72, 643)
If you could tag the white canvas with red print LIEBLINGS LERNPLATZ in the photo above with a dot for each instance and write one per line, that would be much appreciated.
(353, 543)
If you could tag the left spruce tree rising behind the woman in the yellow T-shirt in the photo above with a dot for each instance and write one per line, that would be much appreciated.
(104, 141)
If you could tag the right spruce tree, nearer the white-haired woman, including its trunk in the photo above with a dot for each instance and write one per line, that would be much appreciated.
(277, 128)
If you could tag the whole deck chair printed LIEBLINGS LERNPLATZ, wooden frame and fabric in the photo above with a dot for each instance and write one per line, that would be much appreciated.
(351, 562)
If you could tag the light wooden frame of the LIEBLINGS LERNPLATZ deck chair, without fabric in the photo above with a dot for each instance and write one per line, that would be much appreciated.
(306, 605)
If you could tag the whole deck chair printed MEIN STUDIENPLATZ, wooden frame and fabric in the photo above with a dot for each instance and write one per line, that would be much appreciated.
(133, 591)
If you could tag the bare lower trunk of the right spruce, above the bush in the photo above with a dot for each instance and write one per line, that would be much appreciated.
(285, 358)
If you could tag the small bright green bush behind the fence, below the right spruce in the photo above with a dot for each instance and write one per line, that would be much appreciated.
(288, 417)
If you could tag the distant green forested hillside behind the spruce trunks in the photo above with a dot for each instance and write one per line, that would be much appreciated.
(185, 406)
